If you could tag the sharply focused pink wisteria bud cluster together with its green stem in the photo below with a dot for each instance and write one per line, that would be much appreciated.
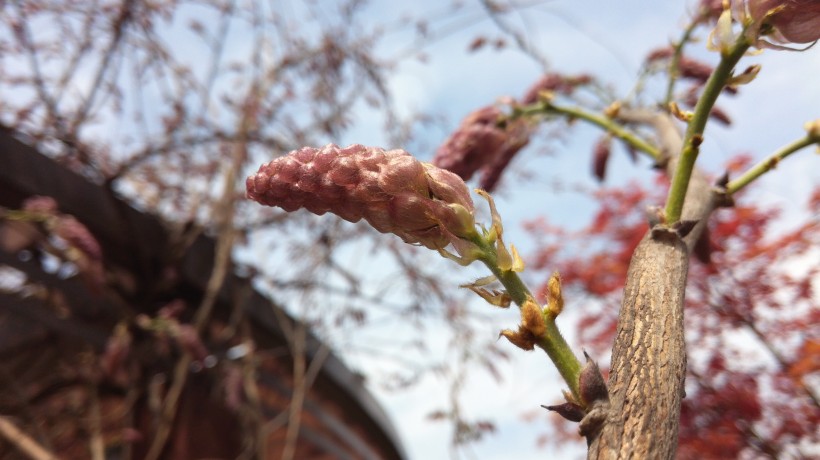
(423, 204)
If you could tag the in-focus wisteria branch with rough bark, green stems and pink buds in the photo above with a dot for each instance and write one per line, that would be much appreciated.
(637, 413)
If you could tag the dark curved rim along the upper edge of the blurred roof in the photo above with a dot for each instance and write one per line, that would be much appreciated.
(115, 223)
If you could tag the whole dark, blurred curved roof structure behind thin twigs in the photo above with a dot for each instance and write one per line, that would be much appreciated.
(53, 333)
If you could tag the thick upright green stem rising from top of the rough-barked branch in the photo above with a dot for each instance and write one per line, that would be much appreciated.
(694, 132)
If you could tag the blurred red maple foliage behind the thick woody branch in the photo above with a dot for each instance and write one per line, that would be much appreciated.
(752, 318)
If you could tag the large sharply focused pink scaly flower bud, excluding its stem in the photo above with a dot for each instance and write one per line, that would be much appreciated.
(390, 189)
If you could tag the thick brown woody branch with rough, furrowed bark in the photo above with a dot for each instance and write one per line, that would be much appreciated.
(648, 368)
